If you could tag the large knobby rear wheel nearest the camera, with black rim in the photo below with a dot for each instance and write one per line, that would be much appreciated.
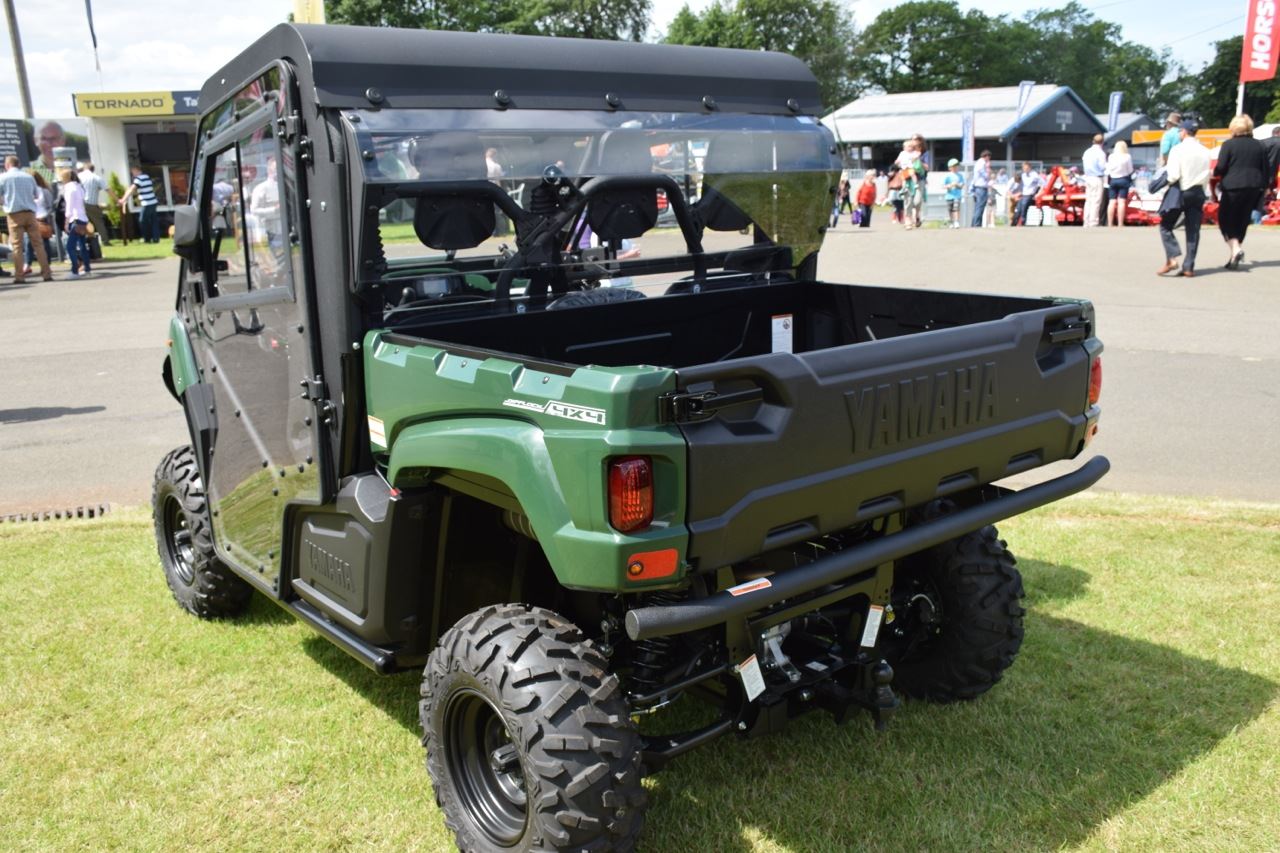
(529, 743)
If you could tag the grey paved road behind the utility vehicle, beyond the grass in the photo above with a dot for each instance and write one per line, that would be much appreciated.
(1191, 398)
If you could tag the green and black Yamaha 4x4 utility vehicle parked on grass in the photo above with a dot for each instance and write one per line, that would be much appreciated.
(570, 504)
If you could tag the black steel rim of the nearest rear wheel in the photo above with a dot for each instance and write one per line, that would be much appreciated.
(484, 768)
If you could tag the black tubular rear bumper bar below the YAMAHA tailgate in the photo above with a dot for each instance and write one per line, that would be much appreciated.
(687, 617)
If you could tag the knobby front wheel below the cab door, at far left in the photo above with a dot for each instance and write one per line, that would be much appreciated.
(200, 583)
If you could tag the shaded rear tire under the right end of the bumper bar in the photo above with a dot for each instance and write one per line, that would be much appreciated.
(973, 594)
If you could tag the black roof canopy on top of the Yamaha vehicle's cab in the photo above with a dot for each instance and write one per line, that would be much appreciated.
(417, 69)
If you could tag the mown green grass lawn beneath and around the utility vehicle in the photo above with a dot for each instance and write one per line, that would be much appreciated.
(1142, 714)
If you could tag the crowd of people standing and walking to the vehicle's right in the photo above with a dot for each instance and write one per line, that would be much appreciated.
(1240, 181)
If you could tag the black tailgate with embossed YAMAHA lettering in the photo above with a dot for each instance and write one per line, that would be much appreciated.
(784, 448)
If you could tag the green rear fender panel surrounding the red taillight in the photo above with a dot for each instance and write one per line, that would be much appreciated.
(560, 482)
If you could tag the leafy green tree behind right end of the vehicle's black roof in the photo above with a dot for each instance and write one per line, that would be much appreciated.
(820, 33)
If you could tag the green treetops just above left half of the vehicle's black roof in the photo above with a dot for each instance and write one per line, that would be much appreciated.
(612, 20)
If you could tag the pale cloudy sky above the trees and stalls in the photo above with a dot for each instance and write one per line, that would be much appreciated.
(163, 45)
